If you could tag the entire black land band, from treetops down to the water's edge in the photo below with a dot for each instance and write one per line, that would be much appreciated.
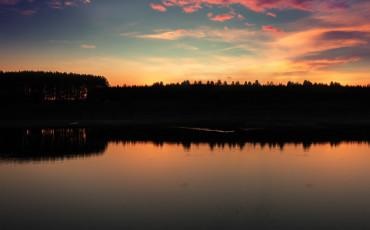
(65, 100)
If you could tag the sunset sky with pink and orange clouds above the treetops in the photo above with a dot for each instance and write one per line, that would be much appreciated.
(146, 41)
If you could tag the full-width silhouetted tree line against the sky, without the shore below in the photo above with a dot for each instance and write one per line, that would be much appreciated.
(40, 87)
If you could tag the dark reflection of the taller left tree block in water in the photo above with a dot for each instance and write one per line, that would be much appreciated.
(48, 144)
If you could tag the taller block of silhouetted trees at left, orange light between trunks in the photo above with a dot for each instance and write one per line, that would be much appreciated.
(39, 87)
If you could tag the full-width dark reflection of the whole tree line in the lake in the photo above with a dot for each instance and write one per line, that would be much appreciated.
(22, 145)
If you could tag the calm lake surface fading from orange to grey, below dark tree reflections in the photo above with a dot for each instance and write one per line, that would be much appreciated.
(147, 186)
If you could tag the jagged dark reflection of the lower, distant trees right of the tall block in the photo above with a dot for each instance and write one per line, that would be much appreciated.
(239, 139)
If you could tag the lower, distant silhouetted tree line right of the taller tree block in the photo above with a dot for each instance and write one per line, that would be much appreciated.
(211, 95)
